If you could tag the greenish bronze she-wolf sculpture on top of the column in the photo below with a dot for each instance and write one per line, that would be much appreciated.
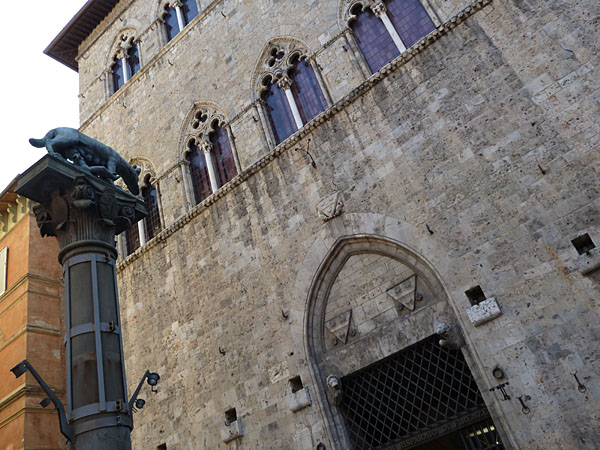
(89, 154)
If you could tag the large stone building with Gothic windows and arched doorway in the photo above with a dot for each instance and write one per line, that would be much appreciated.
(292, 286)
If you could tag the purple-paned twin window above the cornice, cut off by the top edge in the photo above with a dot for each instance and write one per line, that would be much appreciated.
(384, 30)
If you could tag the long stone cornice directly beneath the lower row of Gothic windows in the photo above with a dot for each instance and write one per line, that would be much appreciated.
(293, 140)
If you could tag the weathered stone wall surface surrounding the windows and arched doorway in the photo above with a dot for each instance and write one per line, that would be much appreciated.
(488, 136)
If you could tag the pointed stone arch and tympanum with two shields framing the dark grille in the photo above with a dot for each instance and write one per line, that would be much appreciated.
(371, 299)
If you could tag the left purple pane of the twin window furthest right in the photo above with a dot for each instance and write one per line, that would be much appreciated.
(374, 41)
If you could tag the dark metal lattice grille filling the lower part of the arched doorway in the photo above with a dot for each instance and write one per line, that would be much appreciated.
(415, 396)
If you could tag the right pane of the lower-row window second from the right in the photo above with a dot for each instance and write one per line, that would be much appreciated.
(307, 92)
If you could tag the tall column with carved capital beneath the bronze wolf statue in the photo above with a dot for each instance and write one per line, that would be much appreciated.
(84, 213)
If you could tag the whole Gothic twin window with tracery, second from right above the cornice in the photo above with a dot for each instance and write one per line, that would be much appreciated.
(290, 91)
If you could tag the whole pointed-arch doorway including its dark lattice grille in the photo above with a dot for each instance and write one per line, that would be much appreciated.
(383, 380)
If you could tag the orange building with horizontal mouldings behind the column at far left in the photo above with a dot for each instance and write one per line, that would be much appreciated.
(30, 327)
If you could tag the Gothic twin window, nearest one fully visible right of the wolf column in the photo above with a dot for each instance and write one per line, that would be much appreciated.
(209, 152)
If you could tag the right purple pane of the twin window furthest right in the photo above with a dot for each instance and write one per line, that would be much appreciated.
(410, 20)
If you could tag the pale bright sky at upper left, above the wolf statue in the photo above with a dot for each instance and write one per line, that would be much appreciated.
(38, 92)
